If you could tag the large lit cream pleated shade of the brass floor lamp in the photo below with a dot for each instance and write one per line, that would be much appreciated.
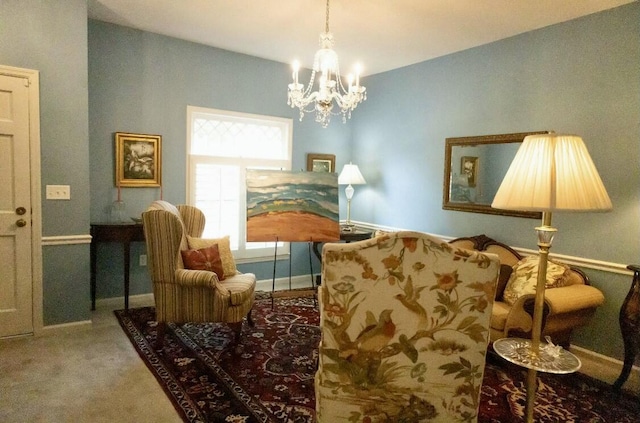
(552, 172)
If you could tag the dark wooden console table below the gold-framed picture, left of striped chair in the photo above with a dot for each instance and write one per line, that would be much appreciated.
(124, 233)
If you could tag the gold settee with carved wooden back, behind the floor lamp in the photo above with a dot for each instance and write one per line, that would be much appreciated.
(566, 307)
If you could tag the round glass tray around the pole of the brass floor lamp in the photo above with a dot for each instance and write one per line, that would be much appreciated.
(548, 358)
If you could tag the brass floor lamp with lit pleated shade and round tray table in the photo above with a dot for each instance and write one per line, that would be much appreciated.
(549, 173)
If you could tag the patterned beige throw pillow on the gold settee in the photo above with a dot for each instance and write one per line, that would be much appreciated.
(524, 278)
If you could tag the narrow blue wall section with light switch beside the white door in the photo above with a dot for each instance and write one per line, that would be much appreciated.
(51, 37)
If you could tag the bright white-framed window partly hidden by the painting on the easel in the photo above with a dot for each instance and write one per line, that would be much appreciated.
(221, 146)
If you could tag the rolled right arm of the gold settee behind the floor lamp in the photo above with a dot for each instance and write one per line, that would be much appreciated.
(571, 298)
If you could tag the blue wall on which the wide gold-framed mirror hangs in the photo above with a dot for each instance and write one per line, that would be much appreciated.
(580, 77)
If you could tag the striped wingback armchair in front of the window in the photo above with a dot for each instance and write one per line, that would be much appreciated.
(184, 295)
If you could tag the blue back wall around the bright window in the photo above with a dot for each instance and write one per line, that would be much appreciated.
(143, 82)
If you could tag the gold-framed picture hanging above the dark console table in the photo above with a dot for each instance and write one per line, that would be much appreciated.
(138, 160)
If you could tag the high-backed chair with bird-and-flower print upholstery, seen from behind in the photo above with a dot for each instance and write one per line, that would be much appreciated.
(404, 330)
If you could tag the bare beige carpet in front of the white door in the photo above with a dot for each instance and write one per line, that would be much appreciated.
(87, 374)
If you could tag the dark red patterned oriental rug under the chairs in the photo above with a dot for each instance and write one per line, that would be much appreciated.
(269, 375)
